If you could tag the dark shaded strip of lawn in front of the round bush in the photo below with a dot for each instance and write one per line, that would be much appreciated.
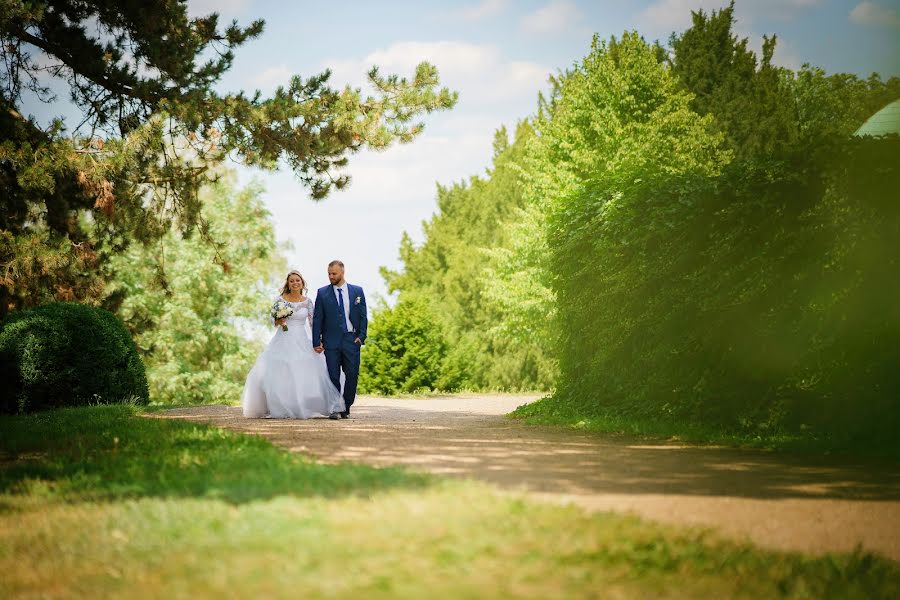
(105, 453)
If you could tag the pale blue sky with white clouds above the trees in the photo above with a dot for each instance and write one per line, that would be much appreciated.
(497, 54)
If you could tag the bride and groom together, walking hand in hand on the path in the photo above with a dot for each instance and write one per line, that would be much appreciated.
(299, 375)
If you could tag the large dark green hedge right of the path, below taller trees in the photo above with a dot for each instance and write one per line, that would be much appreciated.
(770, 309)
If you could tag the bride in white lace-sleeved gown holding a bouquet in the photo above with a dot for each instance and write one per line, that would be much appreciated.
(289, 379)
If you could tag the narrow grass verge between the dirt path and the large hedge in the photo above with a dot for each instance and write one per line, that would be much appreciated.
(546, 412)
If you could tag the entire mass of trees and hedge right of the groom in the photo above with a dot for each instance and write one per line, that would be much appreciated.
(694, 235)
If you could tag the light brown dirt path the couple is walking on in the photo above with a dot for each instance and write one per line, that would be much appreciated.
(808, 504)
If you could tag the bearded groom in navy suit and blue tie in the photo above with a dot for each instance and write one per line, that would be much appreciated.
(339, 330)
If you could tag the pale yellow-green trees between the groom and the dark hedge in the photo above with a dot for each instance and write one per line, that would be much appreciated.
(494, 330)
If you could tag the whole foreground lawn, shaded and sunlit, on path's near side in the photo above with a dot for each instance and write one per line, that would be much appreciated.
(101, 502)
